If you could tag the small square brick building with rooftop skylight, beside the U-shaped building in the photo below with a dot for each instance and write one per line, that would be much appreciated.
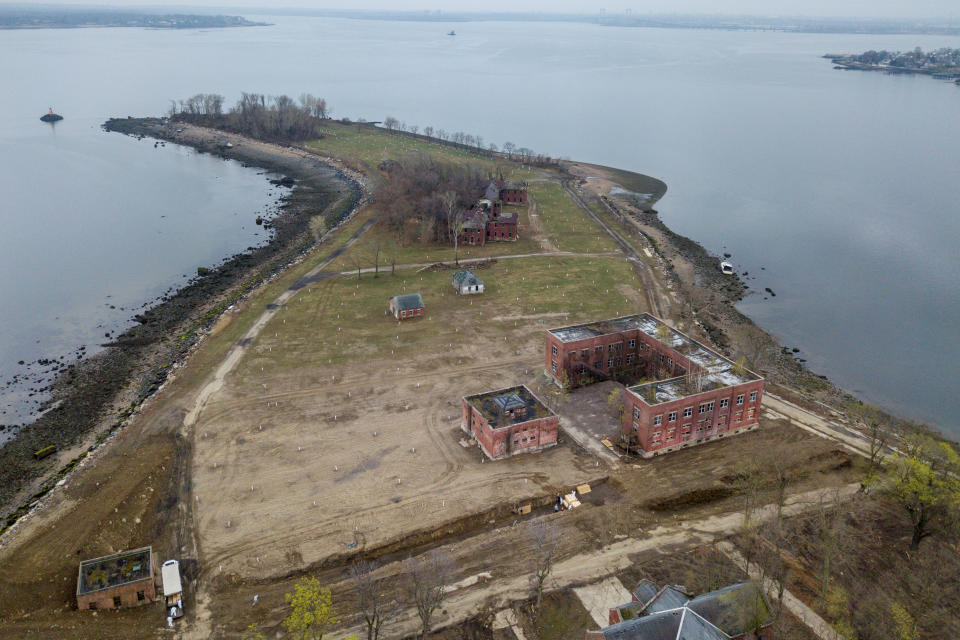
(509, 421)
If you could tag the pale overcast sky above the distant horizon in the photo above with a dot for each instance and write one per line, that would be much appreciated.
(861, 8)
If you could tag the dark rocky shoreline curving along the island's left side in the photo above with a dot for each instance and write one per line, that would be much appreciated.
(94, 396)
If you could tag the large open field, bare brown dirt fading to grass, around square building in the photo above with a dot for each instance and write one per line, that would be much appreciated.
(344, 424)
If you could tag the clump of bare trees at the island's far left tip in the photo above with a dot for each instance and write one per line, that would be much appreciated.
(256, 115)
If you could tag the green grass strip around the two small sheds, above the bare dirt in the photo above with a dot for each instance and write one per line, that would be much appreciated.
(338, 320)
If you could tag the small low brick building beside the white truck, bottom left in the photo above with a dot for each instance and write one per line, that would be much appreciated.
(121, 580)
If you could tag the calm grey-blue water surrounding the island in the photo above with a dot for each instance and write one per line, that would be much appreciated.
(842, 185)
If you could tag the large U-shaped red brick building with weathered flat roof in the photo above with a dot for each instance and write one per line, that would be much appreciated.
(697, 394)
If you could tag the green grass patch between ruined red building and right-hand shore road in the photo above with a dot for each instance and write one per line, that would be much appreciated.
(566, 226)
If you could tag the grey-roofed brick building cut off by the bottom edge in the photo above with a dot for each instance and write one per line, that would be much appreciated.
(737, 612)
